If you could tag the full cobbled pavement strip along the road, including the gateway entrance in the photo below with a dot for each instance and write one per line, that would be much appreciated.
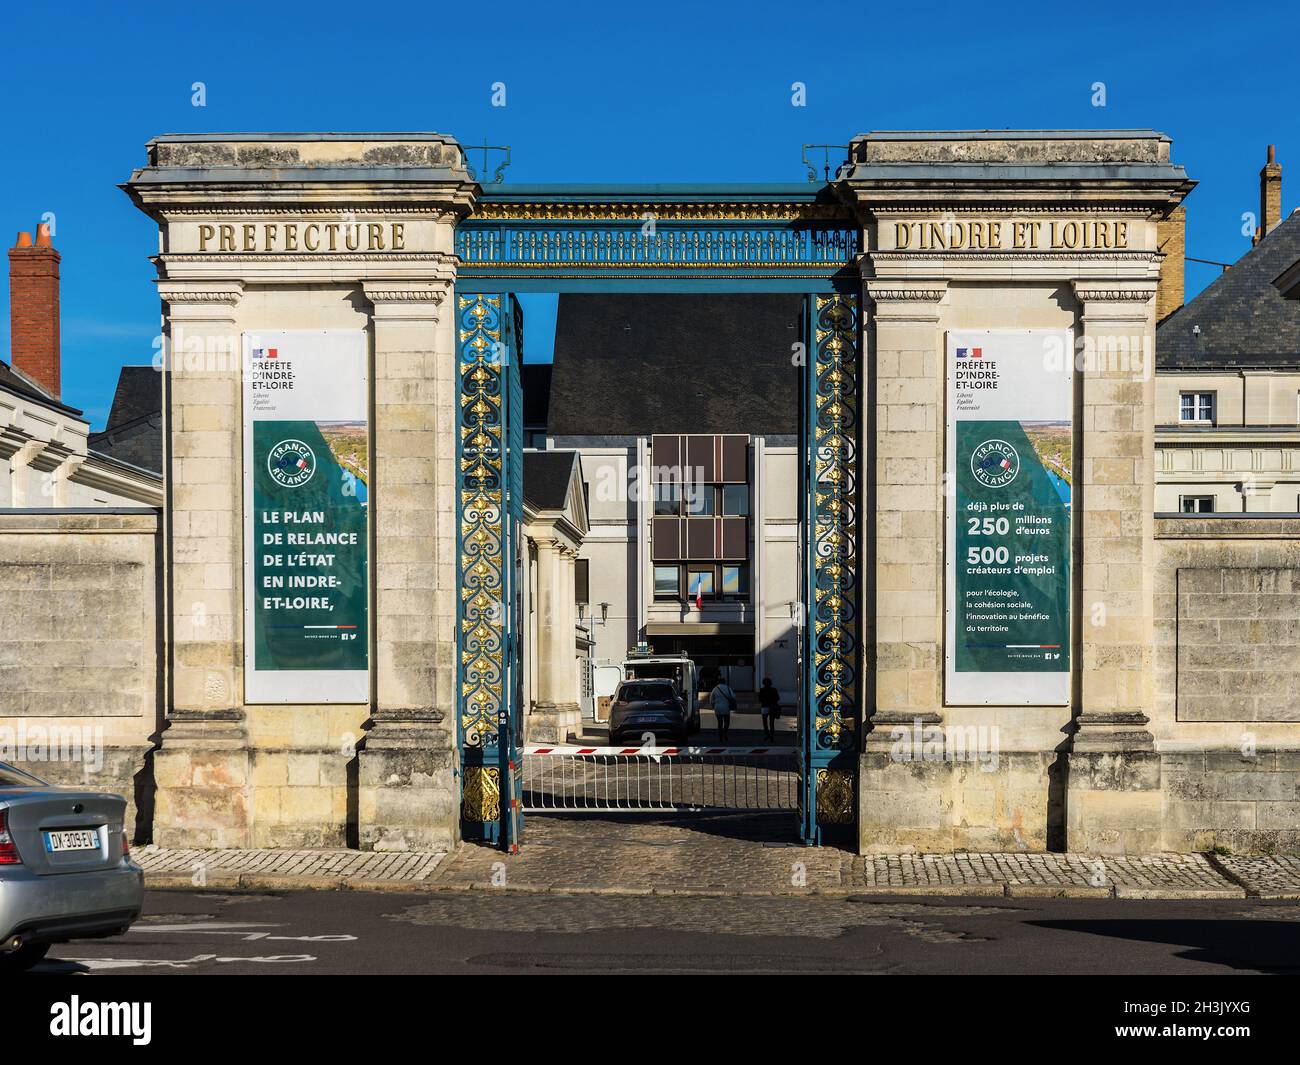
(722, 855)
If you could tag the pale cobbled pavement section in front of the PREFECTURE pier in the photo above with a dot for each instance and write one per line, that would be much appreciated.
(344, 867)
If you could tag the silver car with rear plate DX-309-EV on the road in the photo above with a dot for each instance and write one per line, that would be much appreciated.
(66, 868)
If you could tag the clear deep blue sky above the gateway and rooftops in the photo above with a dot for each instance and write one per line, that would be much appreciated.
(604, 93)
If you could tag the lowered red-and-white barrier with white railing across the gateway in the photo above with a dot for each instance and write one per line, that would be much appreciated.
(660, 778)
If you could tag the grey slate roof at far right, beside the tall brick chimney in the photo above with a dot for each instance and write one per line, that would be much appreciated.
(1245, 321)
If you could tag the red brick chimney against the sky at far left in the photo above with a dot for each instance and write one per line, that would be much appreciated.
(34, 310)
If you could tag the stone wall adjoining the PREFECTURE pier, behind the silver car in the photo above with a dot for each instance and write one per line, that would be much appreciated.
(80, 634)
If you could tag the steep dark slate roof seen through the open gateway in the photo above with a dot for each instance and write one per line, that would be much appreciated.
(635, 365)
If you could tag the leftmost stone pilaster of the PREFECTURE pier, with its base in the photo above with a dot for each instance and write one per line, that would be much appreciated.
(203, 770)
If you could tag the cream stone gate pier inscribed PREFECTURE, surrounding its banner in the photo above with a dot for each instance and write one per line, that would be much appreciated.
(261, 235)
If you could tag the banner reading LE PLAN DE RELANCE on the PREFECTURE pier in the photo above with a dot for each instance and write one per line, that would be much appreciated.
(306, 445)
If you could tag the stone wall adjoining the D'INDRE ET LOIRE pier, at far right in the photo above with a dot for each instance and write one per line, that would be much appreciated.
(1228, 682)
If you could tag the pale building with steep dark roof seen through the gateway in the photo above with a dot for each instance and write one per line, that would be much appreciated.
(692, 471)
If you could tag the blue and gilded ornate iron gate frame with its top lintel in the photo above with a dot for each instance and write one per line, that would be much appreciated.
(794, 239)
